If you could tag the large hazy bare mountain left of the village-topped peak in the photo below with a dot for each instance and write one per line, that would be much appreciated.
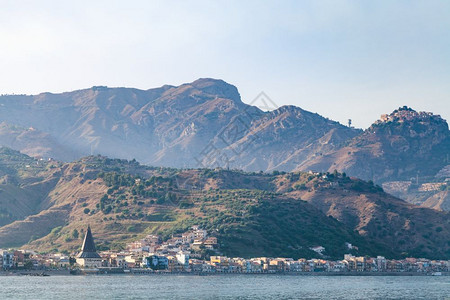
(203, 123)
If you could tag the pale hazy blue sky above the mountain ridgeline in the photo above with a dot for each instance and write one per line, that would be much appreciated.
(341, 59)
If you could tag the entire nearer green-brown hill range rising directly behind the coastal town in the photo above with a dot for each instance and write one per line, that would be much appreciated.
(252, 214)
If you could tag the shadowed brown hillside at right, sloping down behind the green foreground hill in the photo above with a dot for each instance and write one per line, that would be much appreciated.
(372, 213)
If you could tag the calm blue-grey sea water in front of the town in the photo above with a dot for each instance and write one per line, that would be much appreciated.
(224, 287)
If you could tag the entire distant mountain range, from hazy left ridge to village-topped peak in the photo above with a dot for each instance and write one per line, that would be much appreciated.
(204, 124)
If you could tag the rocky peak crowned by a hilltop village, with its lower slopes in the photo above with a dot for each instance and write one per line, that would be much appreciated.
(407, 152)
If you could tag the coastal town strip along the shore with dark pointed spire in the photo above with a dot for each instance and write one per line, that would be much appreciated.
(195, 252)
